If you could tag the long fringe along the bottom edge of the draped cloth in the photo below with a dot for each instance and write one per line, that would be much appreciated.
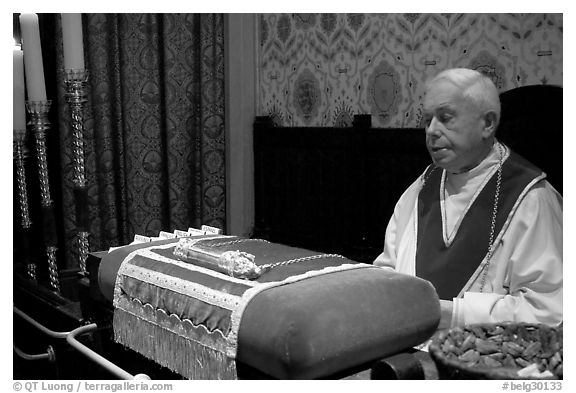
(181, 355)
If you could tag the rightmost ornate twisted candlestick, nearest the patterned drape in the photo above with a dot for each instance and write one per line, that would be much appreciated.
(75, 96)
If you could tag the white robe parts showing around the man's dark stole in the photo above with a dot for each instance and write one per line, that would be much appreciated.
(524, 277)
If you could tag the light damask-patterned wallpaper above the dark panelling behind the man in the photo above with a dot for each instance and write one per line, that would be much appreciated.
(321, 69)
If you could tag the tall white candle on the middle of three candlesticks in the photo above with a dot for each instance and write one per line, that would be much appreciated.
(33, 65)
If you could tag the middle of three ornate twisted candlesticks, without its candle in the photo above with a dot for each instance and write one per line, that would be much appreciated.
(40, 124)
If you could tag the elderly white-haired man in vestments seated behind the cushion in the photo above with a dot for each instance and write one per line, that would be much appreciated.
(481, 224)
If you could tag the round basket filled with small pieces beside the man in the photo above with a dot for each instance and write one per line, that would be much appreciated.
(499, 351)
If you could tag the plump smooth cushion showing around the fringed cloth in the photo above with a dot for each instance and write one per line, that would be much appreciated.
(323, 325)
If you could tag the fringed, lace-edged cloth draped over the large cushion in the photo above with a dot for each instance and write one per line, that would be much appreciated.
(186, 316)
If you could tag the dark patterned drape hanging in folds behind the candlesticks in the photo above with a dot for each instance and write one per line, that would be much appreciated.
(154, 127)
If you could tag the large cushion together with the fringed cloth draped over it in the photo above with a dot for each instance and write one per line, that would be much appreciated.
(305, 315)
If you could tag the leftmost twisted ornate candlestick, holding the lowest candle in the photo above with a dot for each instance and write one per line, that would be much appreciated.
(20, 156)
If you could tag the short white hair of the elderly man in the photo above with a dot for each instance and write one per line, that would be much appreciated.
(475, 86)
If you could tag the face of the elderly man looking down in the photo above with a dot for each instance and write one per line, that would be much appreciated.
(454, 128)
